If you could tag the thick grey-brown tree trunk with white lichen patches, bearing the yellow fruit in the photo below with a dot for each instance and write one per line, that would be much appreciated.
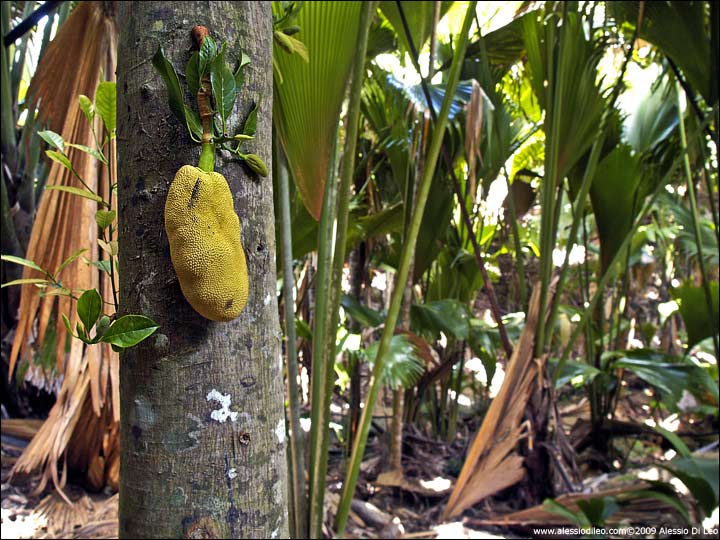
(186, 472)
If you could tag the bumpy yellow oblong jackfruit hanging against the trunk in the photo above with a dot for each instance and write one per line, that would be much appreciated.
(204, 235)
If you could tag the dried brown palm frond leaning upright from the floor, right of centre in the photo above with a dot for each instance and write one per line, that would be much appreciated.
(492, 464)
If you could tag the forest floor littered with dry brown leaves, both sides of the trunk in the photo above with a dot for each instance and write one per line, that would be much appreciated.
(387, 506)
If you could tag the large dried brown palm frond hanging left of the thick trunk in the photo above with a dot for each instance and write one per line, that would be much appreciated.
(73, 64)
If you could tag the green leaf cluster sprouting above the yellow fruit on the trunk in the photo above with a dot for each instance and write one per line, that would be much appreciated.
(207, 71)
